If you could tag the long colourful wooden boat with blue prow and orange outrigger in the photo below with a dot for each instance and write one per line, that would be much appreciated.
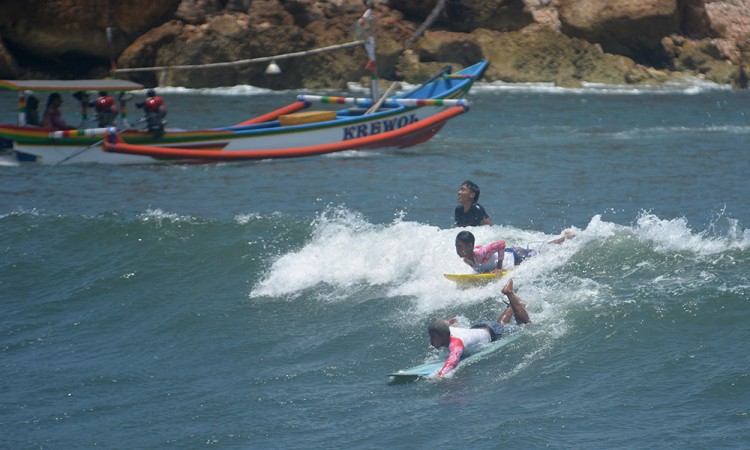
(395, 122)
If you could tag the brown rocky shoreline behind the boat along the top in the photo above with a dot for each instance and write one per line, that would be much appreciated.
(565, 42)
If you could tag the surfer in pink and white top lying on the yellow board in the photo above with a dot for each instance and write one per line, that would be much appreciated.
(495, 257)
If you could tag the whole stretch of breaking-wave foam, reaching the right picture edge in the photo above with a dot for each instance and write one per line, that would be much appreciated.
(409, 259)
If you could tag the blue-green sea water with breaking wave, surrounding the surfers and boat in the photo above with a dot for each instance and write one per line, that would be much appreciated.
(262, 304)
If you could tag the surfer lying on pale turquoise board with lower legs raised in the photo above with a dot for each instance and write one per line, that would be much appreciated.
(464, 341)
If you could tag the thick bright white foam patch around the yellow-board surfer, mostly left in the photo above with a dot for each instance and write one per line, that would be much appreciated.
(409, 257)
